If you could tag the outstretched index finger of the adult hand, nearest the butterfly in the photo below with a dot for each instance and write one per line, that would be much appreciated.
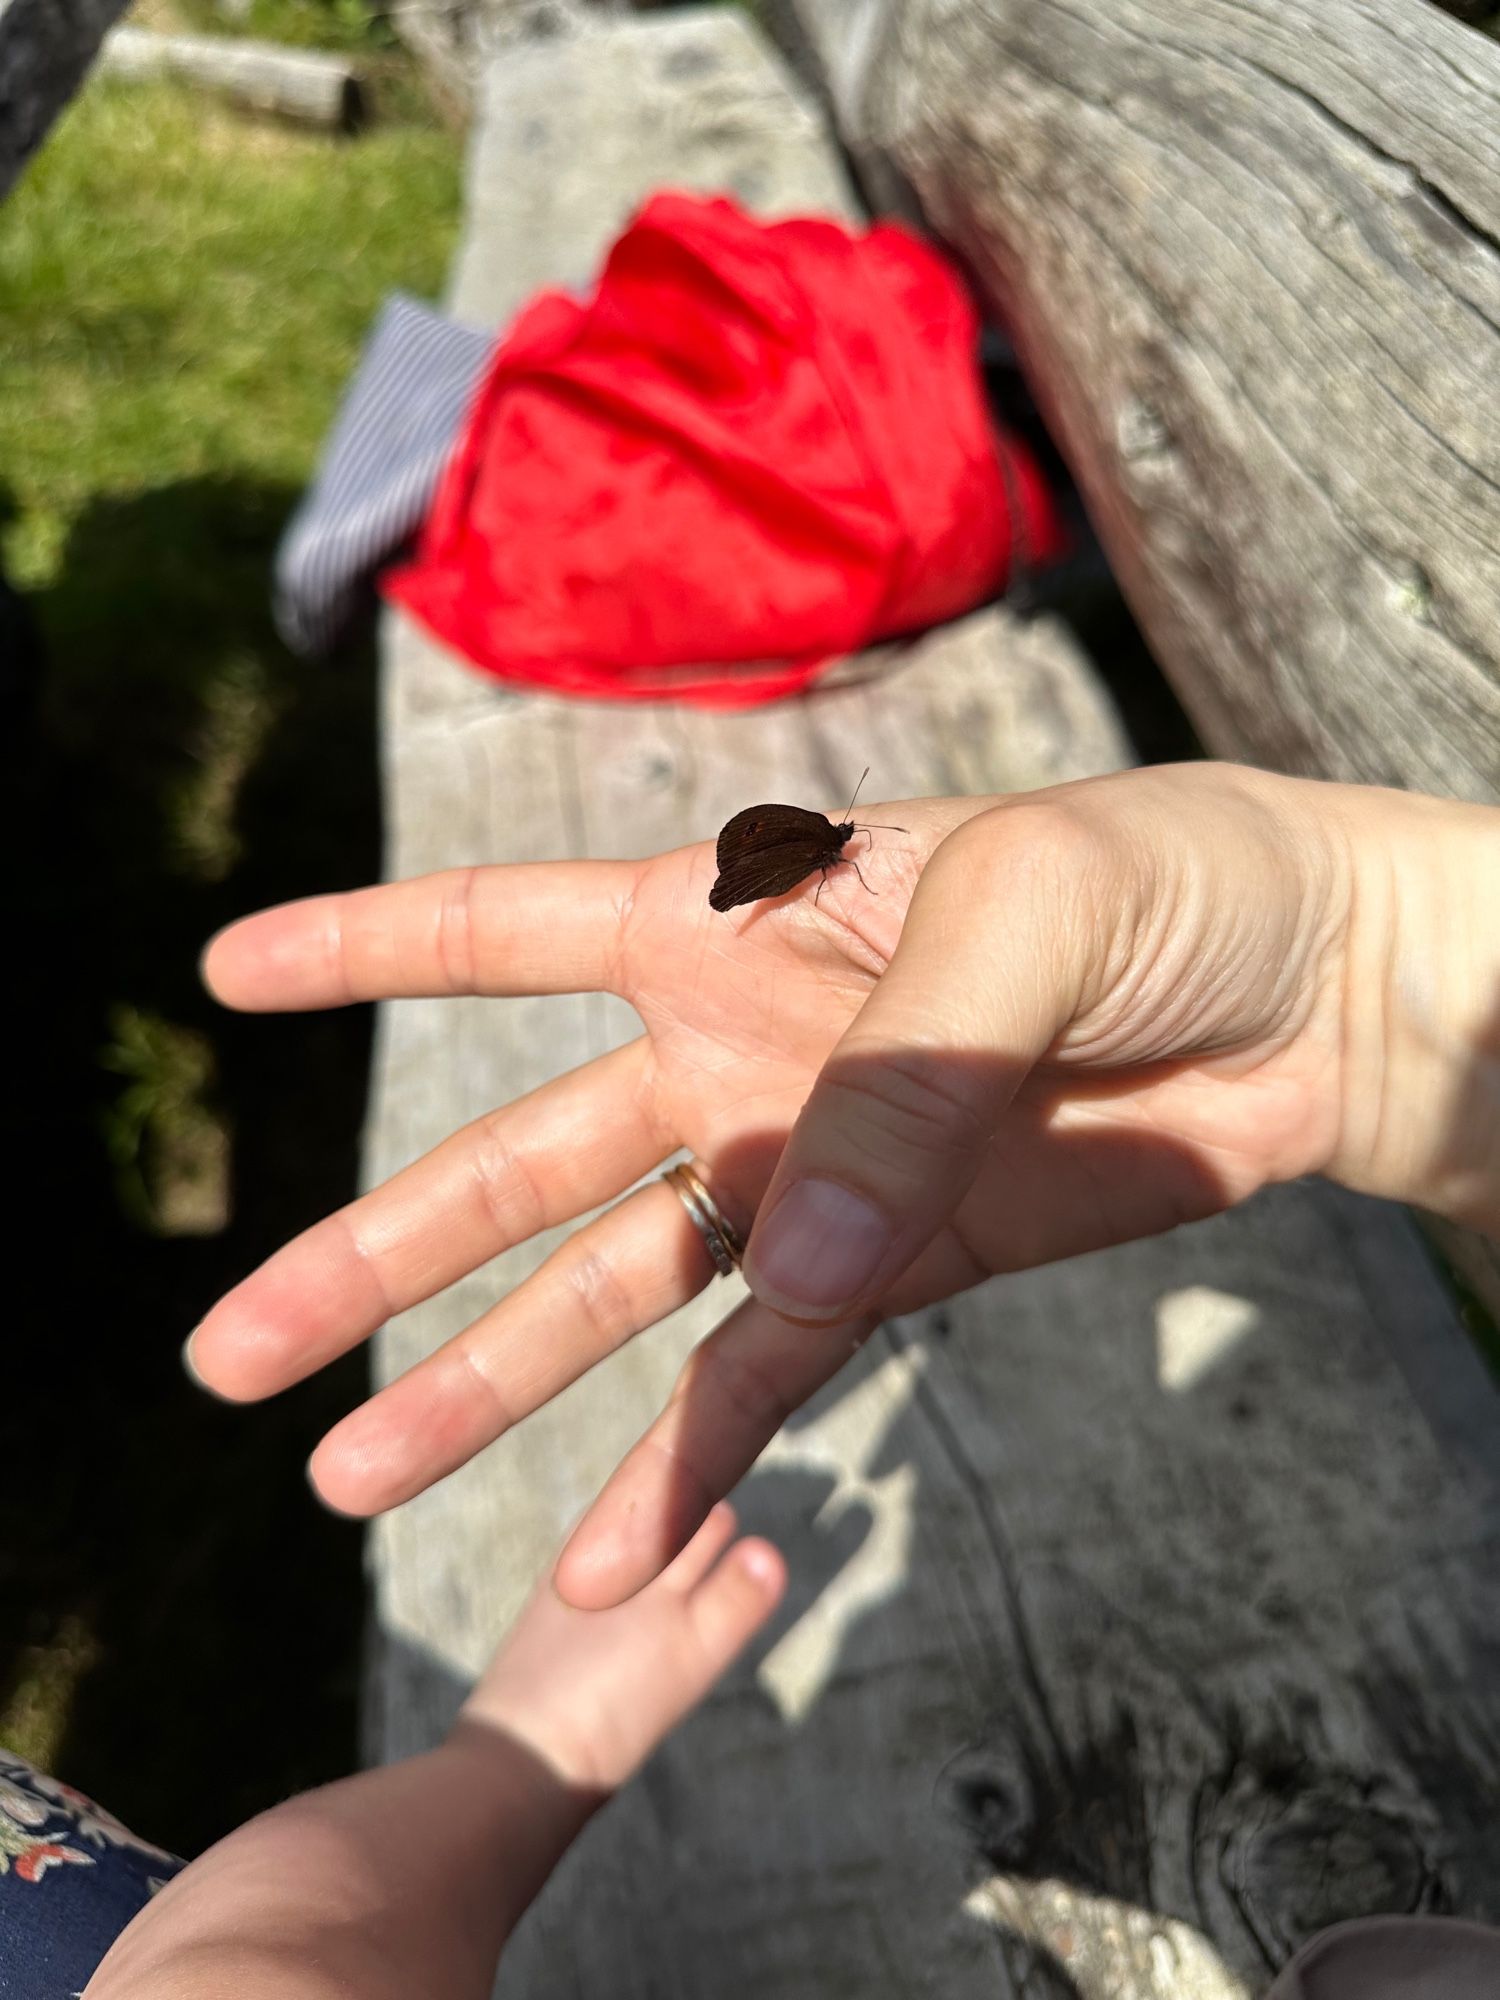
(521, 929)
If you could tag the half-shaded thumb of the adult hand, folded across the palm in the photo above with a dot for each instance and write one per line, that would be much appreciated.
(987, 975)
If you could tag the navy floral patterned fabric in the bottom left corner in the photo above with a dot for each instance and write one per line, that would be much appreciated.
(71, 1881)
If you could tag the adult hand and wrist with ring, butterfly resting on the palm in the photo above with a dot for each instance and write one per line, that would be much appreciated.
(1065, 1021)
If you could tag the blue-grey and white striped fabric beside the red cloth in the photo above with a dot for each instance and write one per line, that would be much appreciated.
(379, 473)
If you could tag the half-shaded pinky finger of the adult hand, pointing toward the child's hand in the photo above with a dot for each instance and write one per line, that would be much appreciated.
(733, 1397)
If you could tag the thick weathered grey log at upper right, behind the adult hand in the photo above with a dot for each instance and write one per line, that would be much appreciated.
(1251, 259)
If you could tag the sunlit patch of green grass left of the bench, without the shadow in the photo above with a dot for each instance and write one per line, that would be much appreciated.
(185, 291)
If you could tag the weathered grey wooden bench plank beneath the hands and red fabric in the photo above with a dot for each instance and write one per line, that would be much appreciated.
(1139, 1609)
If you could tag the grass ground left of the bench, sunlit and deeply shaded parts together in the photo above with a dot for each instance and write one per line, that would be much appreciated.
(183, 295)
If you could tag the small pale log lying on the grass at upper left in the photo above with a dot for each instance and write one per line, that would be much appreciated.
(283, 83)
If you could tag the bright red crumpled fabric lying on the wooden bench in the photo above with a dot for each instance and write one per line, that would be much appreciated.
(759, 447)
